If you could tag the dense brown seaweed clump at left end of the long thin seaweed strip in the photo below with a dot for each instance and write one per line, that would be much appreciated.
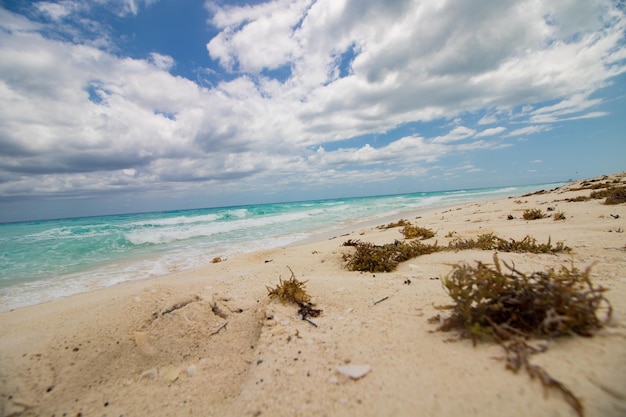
(384, 258)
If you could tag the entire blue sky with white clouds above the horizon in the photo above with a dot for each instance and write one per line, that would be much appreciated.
(111, 106)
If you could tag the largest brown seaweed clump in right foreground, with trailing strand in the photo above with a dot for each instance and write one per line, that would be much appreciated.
(508, 306)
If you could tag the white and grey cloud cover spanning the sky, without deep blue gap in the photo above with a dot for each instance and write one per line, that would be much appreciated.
(74, 116)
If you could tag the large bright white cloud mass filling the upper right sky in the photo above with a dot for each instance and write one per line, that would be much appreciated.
(416, 60)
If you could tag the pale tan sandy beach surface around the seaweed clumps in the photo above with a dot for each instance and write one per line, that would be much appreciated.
(209, 342)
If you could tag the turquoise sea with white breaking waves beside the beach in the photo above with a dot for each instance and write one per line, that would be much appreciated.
(45, 260)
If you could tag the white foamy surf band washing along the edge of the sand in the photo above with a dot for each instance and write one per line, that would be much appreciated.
(159, 263)
